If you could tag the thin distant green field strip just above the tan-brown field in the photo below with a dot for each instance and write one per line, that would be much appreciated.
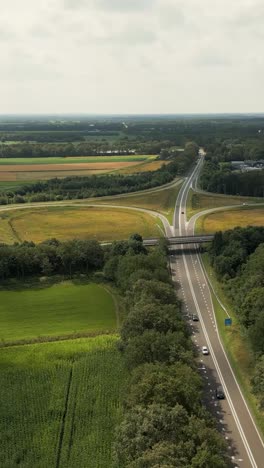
(74, 160)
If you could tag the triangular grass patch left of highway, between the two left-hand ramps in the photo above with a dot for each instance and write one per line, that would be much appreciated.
(162, 201)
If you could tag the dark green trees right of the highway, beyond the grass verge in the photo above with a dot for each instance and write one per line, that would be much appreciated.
(238, 258)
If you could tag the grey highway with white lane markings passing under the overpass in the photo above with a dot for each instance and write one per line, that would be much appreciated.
(245, 444)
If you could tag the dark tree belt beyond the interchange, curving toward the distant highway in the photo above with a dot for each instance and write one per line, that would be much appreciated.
(103, 185)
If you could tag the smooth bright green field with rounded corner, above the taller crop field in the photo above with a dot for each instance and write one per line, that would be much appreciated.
(50, 311)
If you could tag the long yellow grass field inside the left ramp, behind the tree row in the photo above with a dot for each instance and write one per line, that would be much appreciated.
(103, 224)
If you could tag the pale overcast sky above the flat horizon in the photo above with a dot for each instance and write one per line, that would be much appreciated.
(131, 56)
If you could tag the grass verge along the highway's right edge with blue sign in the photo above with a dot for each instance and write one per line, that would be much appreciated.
(235, 342)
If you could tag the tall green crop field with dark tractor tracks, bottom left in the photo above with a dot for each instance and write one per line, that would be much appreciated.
(60, 403)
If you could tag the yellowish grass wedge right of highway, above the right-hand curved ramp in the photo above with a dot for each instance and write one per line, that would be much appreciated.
(201, 201)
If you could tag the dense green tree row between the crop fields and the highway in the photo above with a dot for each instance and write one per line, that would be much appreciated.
(164, 422)
